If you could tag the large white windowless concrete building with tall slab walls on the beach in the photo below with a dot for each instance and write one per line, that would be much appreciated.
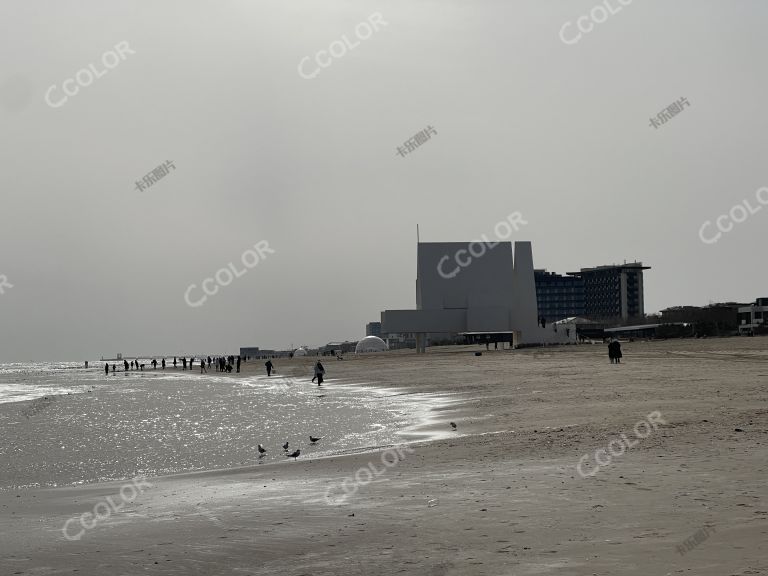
(490, 294)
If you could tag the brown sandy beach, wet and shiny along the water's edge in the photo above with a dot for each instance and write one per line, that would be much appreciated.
(501, 495)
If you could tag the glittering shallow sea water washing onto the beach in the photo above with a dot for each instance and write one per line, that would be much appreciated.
(94, 427)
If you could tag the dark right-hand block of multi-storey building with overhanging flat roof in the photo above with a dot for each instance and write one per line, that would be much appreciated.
(613, 292)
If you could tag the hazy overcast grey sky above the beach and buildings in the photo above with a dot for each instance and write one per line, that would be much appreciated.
(524, 122)
